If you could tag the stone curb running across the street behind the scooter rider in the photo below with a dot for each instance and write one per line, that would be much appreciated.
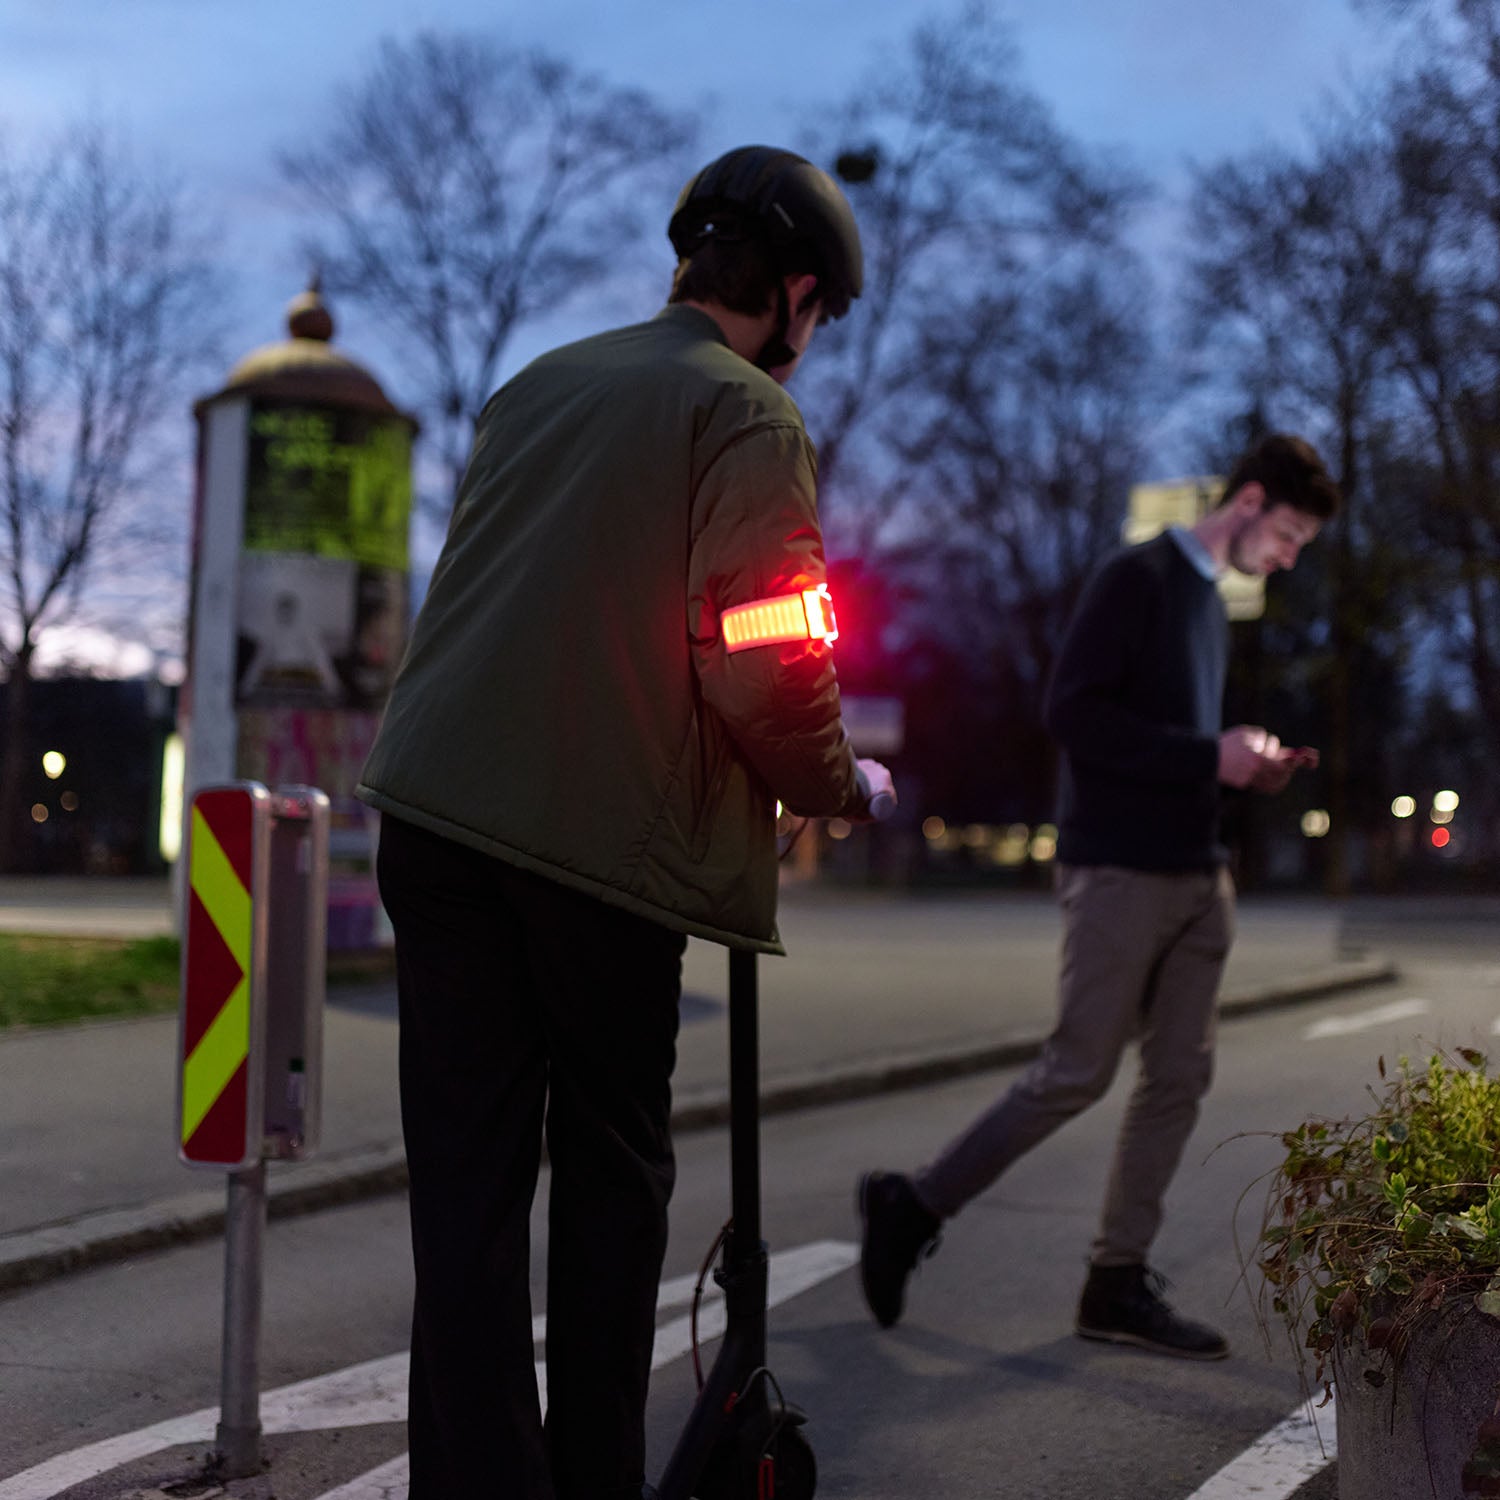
(94, 1240)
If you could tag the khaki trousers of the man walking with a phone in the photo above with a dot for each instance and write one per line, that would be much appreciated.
(1142, 958)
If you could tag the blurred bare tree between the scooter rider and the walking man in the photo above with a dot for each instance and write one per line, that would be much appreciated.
(979, 415)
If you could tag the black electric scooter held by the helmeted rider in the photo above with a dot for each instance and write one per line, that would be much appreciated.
(743, 1441)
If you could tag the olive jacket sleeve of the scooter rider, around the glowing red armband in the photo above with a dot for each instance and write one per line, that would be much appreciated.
(755, 536)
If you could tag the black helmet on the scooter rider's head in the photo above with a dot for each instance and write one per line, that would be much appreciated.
(784, 197)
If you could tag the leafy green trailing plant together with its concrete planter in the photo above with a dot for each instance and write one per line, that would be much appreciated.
(1381, 1252)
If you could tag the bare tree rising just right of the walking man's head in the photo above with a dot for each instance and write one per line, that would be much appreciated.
(1289, 304)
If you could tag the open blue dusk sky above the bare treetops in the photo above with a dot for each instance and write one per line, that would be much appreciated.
(212, 89)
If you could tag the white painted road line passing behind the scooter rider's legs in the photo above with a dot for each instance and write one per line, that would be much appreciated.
(376, 1393)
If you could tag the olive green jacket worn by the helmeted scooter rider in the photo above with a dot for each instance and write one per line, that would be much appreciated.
(566, 701)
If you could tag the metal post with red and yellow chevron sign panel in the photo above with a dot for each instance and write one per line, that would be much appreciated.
(251, 1040)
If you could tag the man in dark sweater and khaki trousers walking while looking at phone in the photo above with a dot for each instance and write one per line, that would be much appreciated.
(1147, 896)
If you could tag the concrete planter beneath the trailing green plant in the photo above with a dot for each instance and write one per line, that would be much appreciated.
(1411, 1438)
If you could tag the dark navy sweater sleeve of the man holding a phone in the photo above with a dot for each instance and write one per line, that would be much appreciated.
(1088, 709)
